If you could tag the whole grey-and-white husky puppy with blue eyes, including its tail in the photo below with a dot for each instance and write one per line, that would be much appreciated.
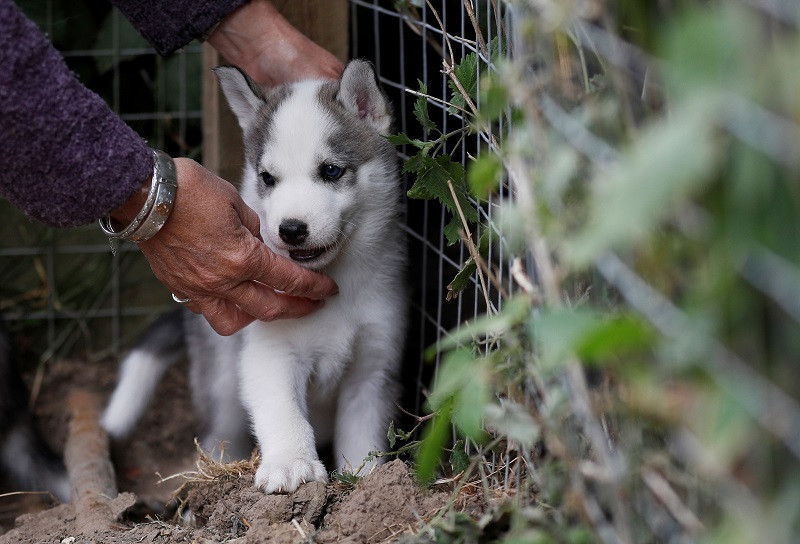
(324, 182)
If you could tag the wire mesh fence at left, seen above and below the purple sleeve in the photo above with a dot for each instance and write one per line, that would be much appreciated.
(64, 292)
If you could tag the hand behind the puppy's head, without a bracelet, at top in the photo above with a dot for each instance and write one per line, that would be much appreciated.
(259, 40)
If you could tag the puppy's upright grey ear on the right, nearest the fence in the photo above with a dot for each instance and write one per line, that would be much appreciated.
(360, 94)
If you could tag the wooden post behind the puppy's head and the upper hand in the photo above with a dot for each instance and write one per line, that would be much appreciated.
(324, 21)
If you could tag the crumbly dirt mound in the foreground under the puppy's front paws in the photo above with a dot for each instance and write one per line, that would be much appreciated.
(382, 507)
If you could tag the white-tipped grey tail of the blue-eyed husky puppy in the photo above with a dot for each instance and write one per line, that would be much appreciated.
(161, 345)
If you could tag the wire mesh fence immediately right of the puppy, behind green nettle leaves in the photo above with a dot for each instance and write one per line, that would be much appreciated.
(411, 43)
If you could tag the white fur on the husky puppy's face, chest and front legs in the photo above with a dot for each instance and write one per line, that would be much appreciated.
(332, 372)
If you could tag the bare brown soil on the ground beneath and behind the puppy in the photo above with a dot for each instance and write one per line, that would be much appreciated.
(383, 507)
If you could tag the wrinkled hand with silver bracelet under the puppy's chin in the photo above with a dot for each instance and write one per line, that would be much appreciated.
(211, 252)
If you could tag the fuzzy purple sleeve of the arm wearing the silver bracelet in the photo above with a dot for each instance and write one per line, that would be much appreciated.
(67, 158)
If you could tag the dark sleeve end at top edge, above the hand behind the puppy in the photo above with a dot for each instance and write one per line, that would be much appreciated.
(171, 24)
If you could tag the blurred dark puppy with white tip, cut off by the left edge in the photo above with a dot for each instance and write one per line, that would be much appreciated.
(25, 458)
